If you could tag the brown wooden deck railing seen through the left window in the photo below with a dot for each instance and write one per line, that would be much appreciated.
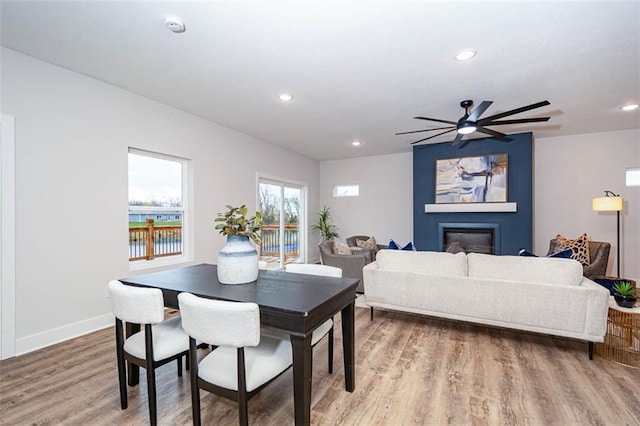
(150, 241)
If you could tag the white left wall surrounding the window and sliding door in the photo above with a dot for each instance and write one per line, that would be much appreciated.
(72, 135)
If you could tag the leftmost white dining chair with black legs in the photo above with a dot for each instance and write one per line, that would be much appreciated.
(159, 343)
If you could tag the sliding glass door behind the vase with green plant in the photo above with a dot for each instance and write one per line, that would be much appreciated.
(282, 206)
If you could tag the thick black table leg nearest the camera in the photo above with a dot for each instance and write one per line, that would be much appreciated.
(301, 379)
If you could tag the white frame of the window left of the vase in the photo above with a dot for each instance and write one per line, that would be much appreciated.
(187, 235)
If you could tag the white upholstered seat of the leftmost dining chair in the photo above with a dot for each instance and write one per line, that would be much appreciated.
(169, 339)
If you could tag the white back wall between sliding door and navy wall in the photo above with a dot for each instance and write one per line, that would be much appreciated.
(384, 207)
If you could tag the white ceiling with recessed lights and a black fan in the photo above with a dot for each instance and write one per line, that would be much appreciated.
(357, 70)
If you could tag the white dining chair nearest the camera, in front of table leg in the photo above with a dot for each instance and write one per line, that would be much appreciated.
(243, 361)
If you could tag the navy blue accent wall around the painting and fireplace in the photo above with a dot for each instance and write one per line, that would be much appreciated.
(516, 229)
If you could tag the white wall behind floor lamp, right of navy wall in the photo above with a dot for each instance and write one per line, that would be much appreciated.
(570, 171)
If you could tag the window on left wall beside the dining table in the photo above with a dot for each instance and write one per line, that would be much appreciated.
(157, 208)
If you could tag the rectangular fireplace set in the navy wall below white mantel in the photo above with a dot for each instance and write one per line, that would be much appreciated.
(470, 237)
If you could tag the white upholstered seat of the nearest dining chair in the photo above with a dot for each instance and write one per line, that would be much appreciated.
(263, 362)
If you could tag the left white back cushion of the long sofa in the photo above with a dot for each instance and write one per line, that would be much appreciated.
(423, 262)
